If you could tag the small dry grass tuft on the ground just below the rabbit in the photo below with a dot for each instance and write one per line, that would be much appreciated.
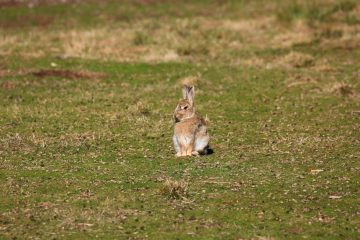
(175, 189)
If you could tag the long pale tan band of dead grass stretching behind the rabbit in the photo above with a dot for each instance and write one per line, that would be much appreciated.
(172, 41)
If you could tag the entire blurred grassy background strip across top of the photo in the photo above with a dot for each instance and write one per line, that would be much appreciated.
(232, 32)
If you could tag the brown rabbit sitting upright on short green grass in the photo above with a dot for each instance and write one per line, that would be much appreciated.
(191, 137)
